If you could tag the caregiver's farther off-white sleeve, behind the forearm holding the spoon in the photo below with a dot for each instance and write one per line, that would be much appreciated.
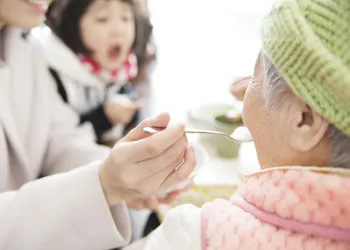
(70, 145)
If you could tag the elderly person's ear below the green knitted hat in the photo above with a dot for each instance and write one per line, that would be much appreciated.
(308, 129)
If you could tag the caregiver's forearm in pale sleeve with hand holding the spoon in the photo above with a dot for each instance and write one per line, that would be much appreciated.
(73, 210)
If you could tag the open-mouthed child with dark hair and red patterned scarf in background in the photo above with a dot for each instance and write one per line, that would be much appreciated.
(92, 54)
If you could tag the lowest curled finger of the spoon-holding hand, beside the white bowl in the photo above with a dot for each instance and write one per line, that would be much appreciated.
(183, 172)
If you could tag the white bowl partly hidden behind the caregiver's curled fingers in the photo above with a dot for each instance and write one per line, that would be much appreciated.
(201, 159)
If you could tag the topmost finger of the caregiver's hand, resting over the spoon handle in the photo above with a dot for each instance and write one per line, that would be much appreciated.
(161, 120)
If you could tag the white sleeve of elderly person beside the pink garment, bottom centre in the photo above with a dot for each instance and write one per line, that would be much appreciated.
(181, 230)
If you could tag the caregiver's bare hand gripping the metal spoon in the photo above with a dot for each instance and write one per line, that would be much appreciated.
(141, 165)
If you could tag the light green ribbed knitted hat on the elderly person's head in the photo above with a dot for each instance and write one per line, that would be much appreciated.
(309, 43)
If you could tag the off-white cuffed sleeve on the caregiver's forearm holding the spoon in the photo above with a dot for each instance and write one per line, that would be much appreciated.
(64, 211)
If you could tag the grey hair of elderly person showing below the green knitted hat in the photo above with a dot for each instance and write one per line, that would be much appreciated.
(277, 92)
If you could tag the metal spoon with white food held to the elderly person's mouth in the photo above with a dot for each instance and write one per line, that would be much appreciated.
(241, 134)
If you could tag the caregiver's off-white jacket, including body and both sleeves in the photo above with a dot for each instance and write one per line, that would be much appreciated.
(39, 136)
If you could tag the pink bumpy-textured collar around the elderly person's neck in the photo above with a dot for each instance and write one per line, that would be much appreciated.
(308, 202)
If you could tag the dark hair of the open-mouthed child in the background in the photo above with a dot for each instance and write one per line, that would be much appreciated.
(63, 17)
